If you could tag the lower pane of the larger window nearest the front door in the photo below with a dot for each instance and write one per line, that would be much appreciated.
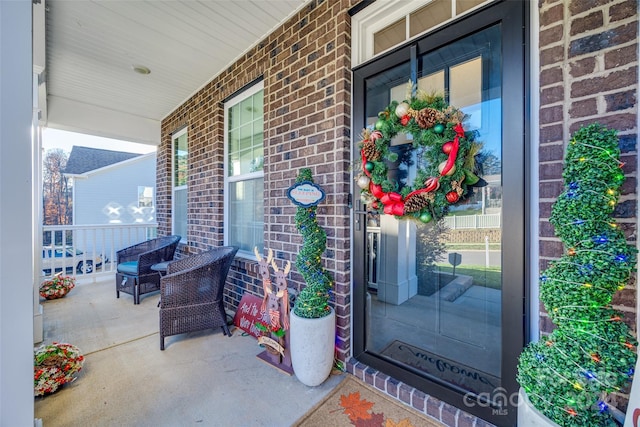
(246, 214)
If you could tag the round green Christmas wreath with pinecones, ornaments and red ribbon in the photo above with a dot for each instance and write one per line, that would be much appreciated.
(445, 155)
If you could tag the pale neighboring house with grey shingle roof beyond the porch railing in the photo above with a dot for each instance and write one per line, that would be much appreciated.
(111, 187)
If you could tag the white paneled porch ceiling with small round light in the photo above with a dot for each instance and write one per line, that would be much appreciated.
(92, 46)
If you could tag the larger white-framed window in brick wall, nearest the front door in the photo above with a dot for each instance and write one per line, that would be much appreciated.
(244, 158)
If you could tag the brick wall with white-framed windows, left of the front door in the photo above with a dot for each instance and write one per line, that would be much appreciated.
(306, 69)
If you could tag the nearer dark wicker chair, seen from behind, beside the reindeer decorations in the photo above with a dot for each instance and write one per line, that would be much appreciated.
(191, 293)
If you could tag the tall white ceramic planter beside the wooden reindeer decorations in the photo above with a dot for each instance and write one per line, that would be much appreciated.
(312, 347)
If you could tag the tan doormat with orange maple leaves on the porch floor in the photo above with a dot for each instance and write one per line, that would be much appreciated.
(354, 403)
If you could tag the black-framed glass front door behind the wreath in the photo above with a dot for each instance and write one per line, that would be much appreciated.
(440, 306)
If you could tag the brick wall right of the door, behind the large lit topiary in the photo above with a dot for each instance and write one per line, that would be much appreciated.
(588, 73)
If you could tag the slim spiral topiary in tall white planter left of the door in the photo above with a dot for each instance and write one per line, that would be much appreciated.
(313, 300)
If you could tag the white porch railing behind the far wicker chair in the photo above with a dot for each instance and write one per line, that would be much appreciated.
(88, 251)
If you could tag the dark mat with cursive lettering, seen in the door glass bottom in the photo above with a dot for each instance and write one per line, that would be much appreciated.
(452, 372)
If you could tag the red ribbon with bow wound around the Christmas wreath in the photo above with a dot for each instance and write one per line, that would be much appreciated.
(394, 202)
